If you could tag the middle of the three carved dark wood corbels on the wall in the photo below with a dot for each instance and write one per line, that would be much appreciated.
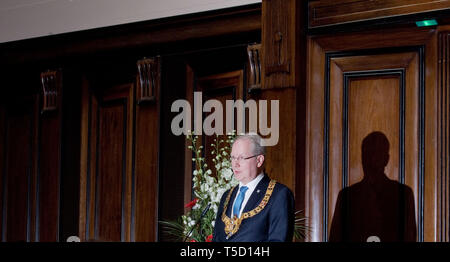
(148, 80)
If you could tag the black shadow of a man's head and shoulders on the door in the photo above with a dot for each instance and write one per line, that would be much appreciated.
(376, 207)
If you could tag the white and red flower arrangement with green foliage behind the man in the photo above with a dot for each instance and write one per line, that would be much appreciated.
(208, 187)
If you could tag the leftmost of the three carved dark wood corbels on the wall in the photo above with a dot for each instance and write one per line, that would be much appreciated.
(51, 90)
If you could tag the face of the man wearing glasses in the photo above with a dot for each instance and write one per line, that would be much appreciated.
(245, 170)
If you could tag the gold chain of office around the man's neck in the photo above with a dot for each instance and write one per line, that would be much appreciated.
(232, 224)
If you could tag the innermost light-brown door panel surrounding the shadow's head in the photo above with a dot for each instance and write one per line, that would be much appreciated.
(378, 100)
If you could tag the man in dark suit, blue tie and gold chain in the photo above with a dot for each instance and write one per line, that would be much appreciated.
(258, 209)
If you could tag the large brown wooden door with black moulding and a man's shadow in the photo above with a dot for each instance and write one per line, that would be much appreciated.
(358, 84)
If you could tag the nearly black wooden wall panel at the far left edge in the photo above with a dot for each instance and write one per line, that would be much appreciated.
(19, 168)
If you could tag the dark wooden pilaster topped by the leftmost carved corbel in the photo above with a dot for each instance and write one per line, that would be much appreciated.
(49, 176)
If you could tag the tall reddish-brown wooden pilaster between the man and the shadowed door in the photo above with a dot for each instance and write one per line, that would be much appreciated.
(283, 67)
